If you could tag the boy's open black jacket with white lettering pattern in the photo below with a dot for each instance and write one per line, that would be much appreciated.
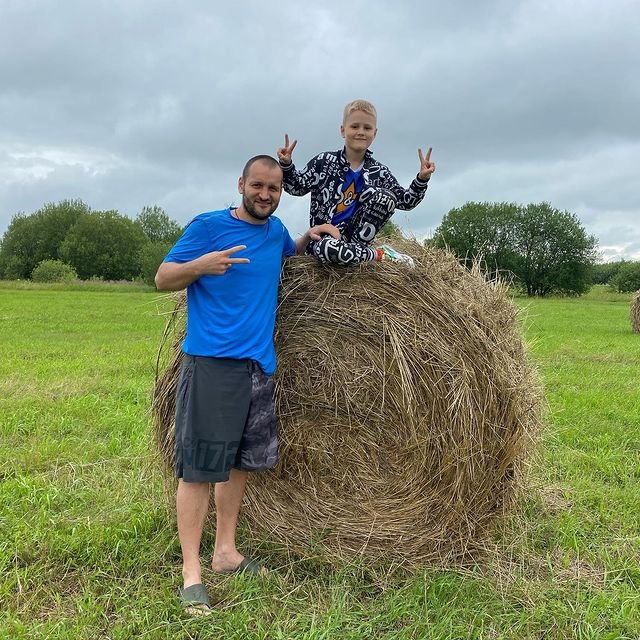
(324, 174)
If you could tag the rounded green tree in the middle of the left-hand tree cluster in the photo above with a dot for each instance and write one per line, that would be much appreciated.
(104, 244)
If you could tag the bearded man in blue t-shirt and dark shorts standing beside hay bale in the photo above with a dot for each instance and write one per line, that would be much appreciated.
(230, 263)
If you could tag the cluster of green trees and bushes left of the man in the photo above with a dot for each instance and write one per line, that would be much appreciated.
(92, 244)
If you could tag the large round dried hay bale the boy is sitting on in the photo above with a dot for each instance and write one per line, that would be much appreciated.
(407, 409)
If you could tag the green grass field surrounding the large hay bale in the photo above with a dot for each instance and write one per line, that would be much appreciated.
(88, 546)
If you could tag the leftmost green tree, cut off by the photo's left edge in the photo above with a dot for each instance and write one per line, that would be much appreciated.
(30, 239)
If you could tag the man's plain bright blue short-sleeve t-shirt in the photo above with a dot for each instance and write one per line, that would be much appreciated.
(233, 315)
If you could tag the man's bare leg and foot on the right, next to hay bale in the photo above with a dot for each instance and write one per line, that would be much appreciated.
(228, 496)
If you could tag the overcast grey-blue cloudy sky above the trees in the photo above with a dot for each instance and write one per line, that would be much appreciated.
(125, 103)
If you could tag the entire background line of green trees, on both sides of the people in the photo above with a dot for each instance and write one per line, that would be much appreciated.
(536, 247)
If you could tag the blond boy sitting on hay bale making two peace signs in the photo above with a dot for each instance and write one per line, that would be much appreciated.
(352, 191)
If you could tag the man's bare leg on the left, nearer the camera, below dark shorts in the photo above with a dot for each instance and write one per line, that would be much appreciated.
(192, 502)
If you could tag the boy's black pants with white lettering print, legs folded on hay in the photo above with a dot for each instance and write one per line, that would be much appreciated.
(375, 207)
